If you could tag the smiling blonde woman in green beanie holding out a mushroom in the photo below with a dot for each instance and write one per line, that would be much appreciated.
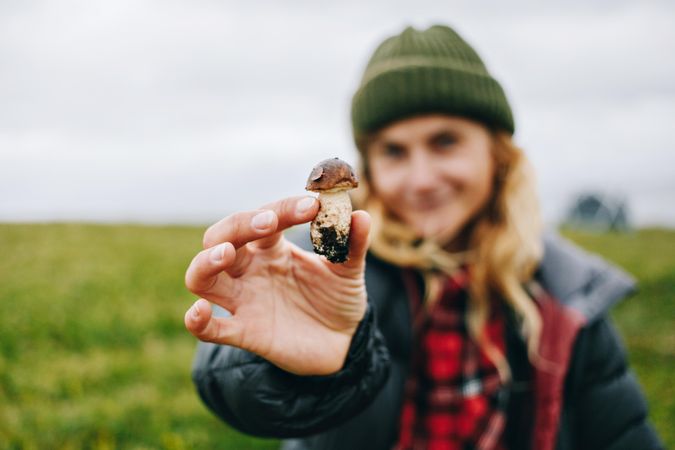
(459, 326)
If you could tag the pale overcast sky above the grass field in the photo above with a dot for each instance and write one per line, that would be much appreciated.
(182, 111)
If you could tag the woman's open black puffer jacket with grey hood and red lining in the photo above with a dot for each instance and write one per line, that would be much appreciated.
(594, 403)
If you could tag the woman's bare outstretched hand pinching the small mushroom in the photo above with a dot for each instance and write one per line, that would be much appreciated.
(292, 307)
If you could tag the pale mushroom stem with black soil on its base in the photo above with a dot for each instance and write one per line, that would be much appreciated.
(330, 228)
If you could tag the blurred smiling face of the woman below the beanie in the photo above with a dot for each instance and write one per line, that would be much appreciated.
(433, 172)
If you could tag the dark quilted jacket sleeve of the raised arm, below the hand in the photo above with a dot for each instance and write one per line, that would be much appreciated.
(258, 398)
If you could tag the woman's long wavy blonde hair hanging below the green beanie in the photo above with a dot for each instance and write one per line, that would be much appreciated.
(504, 247)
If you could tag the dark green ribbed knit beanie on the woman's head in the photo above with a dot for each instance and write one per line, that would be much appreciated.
(430, 71)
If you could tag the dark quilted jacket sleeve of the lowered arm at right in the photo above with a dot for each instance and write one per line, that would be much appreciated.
(611, 410)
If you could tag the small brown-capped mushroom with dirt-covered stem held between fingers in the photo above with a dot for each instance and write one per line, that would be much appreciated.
(332, 178)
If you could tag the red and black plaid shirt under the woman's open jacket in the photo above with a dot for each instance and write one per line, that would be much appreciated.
(453, 398)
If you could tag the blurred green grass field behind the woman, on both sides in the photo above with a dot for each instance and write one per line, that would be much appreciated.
(93, 353)
